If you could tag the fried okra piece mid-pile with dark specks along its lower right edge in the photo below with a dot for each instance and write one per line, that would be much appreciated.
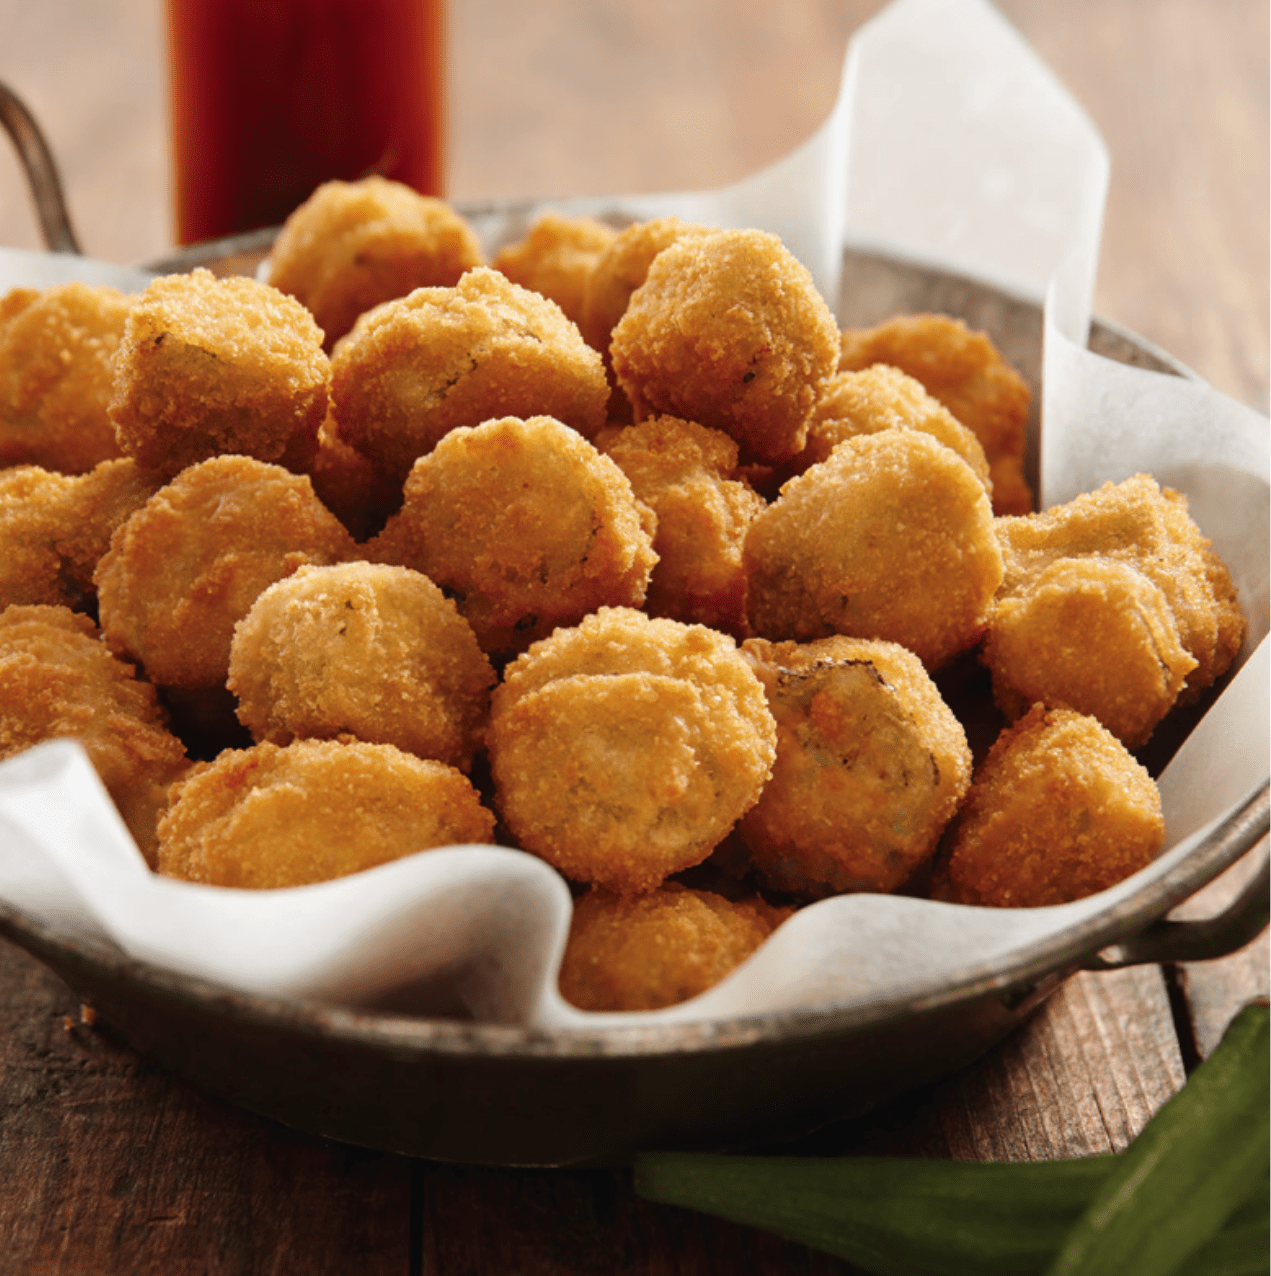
(526, 526)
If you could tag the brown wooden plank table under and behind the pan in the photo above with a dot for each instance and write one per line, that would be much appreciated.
(110, 1167)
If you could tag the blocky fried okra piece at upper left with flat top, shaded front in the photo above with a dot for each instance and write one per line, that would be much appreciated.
(210, 367)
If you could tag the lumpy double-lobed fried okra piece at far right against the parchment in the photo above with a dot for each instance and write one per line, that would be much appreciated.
(1125, 563)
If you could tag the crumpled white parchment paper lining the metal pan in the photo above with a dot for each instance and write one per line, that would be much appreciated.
(951, 144)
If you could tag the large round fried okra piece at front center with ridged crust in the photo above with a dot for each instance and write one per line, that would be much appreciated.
(625, 750)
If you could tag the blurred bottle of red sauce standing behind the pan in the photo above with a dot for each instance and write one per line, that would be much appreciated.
(272, 98)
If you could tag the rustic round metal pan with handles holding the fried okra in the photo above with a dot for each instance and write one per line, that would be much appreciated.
(487, 1094)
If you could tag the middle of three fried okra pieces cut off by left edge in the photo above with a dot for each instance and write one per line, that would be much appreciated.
(54, 529)
